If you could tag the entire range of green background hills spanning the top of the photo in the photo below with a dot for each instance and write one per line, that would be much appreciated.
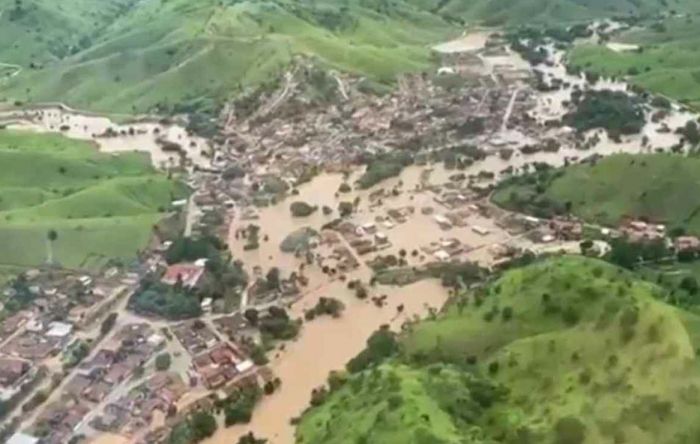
(126, 56)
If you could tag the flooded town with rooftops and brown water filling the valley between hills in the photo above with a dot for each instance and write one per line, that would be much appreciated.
(355, 200)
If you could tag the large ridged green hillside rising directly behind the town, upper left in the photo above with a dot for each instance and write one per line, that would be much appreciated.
(162, 54)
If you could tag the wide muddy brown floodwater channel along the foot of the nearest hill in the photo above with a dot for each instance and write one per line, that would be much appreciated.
(326, 344)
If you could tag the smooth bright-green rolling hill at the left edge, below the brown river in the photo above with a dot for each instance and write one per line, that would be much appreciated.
(102, 206)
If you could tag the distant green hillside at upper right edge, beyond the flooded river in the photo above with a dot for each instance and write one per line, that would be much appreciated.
(668, 62)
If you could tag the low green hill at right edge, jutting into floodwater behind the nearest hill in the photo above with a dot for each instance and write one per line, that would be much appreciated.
(661, 187)
